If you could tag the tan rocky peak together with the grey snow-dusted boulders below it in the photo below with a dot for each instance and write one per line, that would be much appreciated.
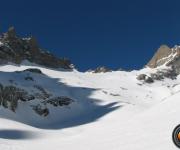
(166, 62)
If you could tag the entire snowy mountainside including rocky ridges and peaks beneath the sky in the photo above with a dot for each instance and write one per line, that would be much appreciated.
(46, 104)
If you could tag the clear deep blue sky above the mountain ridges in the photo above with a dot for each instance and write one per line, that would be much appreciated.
(113, 33)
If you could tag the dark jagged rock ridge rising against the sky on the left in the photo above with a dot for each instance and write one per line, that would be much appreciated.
(15, 49)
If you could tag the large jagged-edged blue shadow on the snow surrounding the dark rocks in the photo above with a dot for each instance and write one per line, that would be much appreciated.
(83, 110)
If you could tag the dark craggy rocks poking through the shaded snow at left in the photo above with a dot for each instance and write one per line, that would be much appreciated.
(10, 96)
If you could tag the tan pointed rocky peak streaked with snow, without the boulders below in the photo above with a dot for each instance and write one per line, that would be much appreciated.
(166, 56)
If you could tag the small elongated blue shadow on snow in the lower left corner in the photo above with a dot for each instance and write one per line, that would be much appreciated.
(17, 134)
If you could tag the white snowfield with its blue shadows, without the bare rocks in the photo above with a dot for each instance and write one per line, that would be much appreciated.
(110, 111)
